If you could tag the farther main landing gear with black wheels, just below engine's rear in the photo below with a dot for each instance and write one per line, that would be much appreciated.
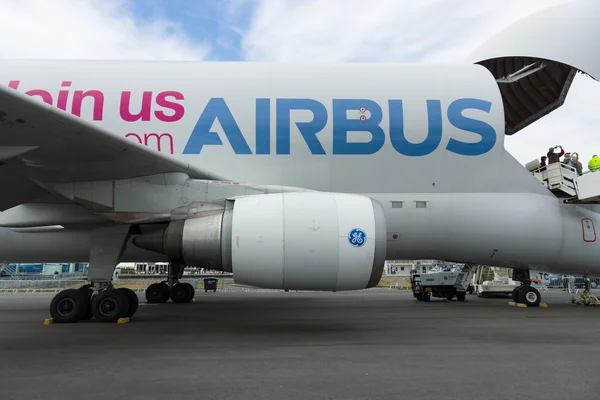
(178, 292)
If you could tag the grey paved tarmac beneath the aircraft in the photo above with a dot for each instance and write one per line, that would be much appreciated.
(376, 344)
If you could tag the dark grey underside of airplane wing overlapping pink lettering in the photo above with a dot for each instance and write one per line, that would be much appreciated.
(41, 143)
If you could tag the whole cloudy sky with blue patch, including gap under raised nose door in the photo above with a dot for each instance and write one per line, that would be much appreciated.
(294, 30)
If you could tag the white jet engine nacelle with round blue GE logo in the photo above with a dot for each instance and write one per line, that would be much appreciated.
(298, 241)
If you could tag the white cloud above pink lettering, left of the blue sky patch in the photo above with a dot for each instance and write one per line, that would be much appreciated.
(88, 29)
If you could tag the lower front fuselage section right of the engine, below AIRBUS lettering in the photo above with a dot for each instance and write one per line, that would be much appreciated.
(504, 230)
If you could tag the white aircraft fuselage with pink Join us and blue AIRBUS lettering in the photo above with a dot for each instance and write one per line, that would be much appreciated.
(427, 142)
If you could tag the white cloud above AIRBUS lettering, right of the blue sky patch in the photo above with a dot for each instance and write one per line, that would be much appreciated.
(379, 30)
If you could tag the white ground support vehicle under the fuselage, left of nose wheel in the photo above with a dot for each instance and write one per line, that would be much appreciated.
(443, 284)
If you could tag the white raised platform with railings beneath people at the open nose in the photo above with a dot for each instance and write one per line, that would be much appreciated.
(562, 180)
